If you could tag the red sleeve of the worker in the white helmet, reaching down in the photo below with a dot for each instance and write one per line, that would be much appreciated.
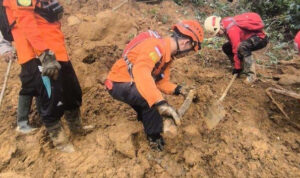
(234, 37)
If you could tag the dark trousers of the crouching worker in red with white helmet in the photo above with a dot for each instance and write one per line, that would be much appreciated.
(246, 47)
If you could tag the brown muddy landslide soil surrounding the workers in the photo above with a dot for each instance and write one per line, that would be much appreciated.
(254, 139)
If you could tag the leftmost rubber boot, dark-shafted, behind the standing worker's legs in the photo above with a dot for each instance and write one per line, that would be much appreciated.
(24, 106)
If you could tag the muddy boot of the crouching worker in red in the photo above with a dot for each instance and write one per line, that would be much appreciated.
(249, 69)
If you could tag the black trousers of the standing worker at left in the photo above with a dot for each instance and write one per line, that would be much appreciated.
(65, 91)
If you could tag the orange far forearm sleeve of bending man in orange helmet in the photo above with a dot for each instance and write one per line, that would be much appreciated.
(165, 85)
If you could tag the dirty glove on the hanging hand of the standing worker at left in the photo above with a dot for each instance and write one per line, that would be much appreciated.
(50, 66)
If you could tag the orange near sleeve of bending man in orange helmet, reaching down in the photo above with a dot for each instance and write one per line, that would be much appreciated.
(143, 79)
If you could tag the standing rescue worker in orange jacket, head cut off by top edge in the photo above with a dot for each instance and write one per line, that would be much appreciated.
(46, 71)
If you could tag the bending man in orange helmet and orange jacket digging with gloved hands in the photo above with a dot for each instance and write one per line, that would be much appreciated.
(139, 78)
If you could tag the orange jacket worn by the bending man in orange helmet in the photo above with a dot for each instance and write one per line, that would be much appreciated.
(148, 59)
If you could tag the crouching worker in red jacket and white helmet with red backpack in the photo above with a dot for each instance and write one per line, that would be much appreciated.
(245, 34)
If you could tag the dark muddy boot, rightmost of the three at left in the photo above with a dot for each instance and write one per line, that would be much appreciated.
(74, 122)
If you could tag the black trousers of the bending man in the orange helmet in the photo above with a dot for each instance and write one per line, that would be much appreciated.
(150, 117)
